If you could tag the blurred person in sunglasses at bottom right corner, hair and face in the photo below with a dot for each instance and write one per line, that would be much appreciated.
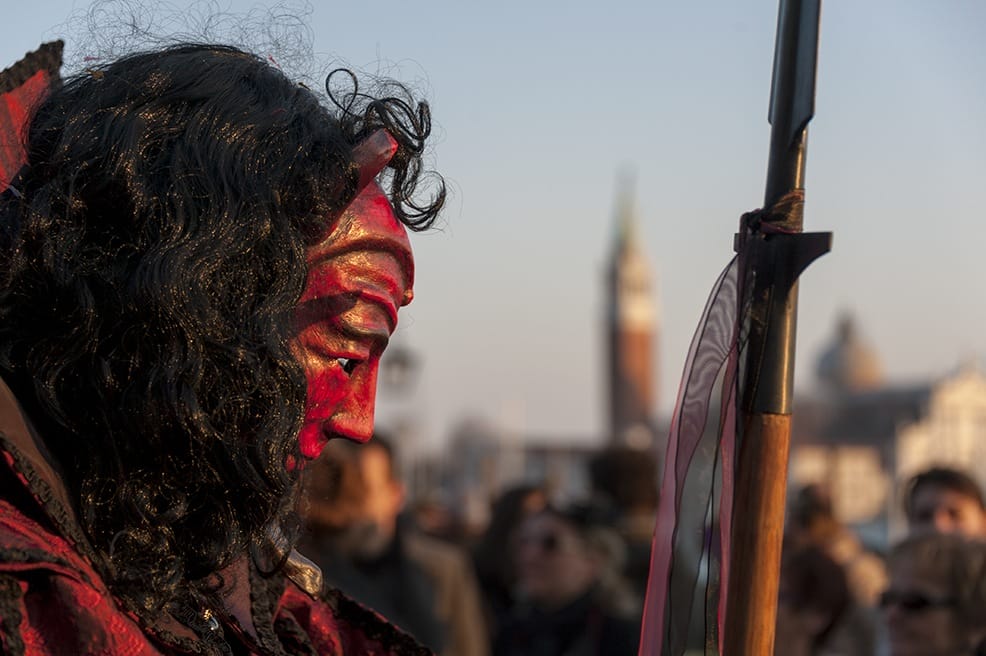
(936, 602)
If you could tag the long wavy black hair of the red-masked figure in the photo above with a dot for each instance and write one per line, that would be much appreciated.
(148, 272)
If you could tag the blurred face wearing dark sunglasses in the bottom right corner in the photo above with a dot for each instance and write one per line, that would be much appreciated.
(920, 614)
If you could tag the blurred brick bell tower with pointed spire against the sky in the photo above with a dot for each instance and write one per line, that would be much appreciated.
(631, 329)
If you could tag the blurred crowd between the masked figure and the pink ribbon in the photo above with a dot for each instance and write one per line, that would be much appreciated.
(542, 579)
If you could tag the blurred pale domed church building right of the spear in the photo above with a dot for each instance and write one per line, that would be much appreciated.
(862, 438)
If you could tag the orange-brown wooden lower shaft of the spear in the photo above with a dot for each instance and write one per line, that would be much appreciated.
(757, 536)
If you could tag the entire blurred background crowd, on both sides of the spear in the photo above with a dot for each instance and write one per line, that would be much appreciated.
(568, 579)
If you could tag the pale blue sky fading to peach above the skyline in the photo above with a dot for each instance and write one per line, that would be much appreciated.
(539, 106)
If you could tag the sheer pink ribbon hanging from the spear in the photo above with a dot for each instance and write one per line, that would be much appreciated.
(690, 551)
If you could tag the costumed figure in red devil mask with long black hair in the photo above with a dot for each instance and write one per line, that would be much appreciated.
(198, 264)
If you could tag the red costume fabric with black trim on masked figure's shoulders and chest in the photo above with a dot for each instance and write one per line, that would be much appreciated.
(53, 601)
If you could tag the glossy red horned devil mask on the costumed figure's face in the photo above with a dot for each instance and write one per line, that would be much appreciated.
(359, 275)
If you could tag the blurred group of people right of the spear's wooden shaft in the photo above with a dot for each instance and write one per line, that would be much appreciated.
(926, 597)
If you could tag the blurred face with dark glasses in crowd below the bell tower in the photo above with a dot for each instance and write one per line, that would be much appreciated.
(554, 564)
